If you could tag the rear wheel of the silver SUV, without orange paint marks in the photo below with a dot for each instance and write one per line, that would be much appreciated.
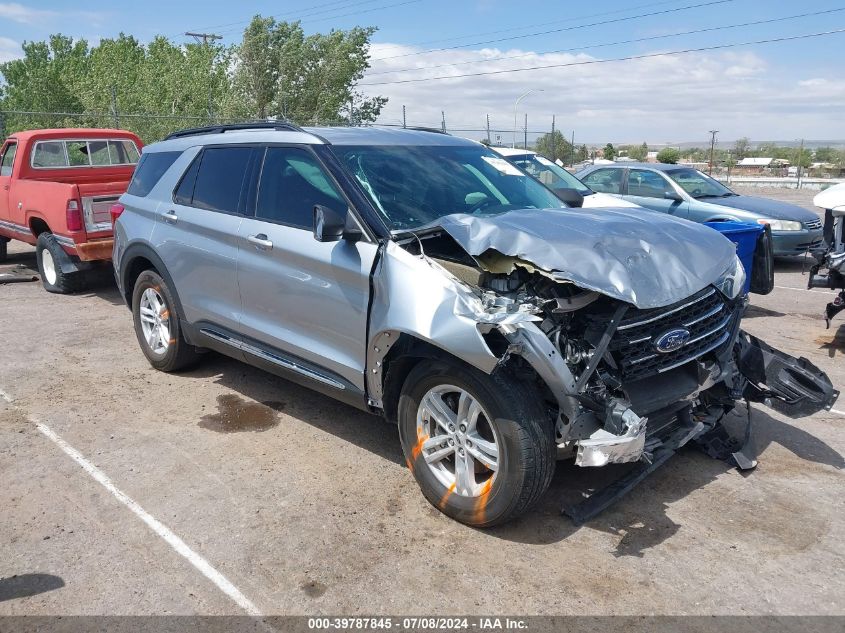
(157, 324)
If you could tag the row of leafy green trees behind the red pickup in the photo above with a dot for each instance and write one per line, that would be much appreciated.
(159, 87)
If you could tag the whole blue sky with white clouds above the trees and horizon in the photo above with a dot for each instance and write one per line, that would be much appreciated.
(776, 91)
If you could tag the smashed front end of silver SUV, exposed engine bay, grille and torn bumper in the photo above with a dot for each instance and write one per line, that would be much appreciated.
(622, 382)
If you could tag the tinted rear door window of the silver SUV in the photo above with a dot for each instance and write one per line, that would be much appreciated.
(222, 171)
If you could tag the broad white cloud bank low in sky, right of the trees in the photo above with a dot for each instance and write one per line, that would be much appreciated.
(658, 99)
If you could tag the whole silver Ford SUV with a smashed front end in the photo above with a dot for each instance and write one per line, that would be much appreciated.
(424, 278)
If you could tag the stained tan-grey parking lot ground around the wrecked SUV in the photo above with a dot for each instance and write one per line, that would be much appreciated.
(306, 507)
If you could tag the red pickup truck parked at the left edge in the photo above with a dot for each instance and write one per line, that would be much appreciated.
(56, 190)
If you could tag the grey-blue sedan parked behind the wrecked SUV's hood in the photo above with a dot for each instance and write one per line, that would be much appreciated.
(688, 193)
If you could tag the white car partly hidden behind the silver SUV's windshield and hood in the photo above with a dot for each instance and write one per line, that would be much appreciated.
(559, 180)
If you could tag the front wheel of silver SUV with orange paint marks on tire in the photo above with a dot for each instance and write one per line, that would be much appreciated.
(480, 446)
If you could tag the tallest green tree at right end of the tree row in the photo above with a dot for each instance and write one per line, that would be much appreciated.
(280, 71)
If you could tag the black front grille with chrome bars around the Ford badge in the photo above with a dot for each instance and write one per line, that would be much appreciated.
(707, 317)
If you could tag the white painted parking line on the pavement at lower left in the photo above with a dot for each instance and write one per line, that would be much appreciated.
(154, 524)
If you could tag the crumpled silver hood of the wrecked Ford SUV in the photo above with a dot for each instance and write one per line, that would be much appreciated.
(647, 259)
